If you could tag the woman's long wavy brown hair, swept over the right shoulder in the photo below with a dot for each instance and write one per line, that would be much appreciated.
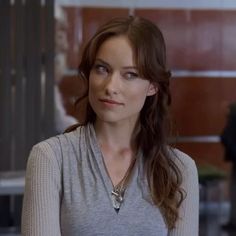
(163, 174)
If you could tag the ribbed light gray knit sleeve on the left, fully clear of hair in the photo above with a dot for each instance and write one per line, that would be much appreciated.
(41, 204)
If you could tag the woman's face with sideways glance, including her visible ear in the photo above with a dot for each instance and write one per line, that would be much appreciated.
(116, 91)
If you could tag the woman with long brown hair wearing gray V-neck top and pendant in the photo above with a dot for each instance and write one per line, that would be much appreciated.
(115, 174)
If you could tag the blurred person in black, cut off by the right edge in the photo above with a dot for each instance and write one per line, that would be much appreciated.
(228, 139)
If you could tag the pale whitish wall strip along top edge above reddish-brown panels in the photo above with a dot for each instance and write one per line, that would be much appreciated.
(177, 4)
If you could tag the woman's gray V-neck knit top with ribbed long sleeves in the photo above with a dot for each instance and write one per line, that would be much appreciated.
(68, 193)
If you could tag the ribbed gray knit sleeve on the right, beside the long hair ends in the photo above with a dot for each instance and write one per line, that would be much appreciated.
(188, 223)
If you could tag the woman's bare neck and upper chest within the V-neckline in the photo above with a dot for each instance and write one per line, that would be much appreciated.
(117, 146)
